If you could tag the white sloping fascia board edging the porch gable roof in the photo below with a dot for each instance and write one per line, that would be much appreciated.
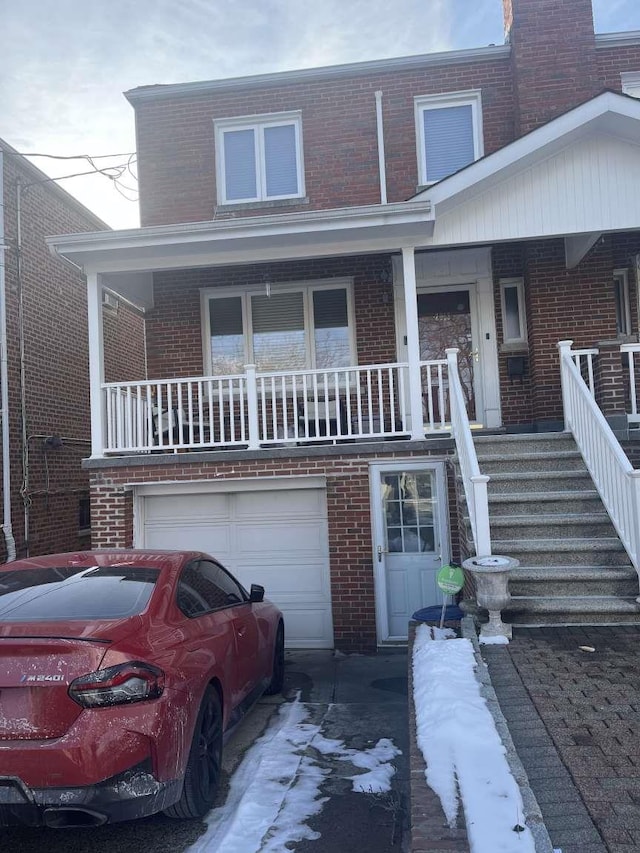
(599, 113)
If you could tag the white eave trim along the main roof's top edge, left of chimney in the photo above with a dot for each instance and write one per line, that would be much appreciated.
(279, 78)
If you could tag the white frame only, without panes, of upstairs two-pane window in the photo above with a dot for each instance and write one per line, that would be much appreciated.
(257, 123)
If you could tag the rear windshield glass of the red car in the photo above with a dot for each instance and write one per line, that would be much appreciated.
(75, 592)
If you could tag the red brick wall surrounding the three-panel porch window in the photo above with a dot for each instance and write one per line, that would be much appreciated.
(174, 330)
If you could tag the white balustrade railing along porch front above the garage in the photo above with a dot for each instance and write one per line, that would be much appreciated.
(257, 409)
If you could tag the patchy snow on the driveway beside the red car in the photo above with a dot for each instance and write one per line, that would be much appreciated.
(276, 788)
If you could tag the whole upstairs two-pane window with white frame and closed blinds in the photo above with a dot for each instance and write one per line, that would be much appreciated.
(259, 158)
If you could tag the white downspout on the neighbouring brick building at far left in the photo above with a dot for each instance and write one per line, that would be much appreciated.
(7, 527)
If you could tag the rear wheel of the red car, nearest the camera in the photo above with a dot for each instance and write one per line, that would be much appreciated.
(205, 760)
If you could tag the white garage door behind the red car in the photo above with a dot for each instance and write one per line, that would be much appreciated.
(277, 538)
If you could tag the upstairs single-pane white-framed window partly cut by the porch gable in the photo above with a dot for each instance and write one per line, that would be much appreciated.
(449, 134)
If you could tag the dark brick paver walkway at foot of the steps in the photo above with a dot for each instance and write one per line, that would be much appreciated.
(574, 716)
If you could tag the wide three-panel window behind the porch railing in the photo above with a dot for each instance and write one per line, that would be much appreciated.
(292, 327)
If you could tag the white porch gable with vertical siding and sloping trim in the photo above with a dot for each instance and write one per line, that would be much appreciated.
(576, 175)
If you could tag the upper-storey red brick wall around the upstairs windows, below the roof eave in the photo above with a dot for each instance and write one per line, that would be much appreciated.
(176, 151)
